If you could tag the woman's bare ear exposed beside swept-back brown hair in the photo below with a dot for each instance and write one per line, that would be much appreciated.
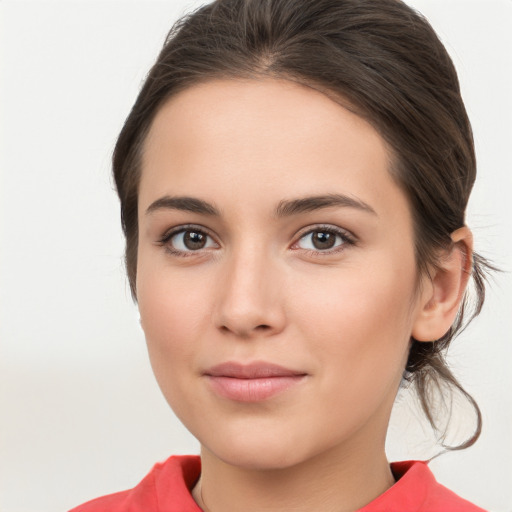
(443, 292)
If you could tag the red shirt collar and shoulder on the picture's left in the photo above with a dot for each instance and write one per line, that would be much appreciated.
(168, 482)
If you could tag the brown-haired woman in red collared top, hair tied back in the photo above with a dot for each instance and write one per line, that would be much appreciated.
(293, 181)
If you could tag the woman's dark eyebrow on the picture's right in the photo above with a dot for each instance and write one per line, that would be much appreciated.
(290, 207)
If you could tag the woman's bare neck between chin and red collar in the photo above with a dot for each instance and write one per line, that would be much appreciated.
(332, 482)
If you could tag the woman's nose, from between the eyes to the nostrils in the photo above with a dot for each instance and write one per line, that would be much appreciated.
(251, 296)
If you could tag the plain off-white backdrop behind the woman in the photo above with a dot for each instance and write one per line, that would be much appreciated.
(81, 415)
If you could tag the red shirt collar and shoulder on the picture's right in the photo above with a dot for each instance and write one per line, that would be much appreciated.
(416, 490)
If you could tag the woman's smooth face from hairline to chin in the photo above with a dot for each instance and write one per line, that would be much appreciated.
(276, 274)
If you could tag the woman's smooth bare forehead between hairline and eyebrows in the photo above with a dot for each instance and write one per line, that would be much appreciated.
(271, 137)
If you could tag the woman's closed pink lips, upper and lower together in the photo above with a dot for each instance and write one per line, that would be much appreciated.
(253, 382)
